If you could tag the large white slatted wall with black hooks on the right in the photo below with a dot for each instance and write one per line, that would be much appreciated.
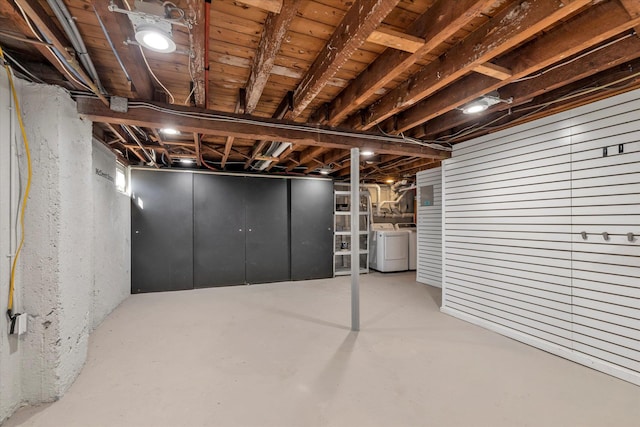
(515, 205)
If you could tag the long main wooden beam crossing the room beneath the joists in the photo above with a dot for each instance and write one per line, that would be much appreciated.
(189, 120)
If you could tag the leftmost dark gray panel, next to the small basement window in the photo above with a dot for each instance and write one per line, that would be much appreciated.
(161, 231)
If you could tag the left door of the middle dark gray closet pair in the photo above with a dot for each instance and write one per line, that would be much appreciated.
(219, 230)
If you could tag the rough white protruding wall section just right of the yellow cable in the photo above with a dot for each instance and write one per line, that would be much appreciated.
(57, 263)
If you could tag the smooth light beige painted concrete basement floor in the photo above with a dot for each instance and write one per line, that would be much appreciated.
(282, 355)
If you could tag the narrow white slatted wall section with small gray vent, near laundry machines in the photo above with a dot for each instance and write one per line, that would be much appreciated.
(429, 263)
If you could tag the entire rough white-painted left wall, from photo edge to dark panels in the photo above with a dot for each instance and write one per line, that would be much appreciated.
(72, 221)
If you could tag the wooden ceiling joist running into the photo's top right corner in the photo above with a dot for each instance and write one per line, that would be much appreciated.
(577, 35)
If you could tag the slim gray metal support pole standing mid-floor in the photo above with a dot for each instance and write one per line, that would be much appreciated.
(355, 239)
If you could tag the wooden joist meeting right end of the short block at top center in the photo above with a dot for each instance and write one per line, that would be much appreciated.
(439, 23)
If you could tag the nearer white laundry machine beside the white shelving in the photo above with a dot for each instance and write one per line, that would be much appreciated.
(389, 248)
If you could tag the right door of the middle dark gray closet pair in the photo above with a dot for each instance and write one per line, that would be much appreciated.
(267, 237)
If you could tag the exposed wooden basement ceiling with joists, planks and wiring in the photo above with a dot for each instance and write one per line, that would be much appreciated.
(288, 86)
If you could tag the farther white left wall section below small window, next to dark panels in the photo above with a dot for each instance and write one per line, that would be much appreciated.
(111, 250)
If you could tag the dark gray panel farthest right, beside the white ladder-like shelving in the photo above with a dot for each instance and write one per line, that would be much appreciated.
(311, 229)
